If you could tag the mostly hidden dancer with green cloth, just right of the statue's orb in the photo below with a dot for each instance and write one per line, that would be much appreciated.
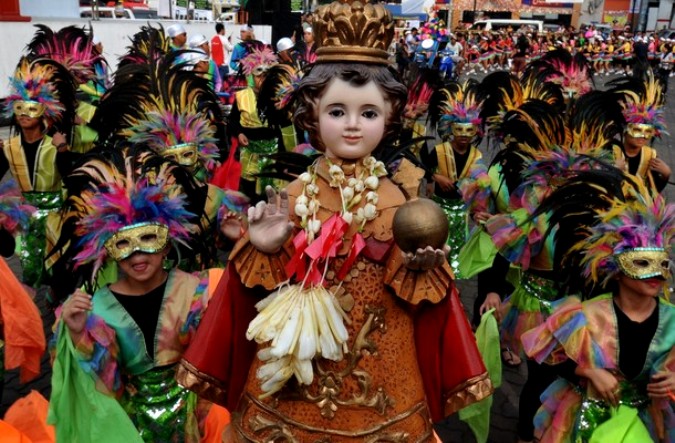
(487, 190)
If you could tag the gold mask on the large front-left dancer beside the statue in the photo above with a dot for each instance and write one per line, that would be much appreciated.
(142, 237)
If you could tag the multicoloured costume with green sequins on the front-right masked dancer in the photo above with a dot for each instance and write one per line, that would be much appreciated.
(588, 333)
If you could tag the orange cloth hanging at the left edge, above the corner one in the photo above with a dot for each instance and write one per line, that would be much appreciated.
(22, 326)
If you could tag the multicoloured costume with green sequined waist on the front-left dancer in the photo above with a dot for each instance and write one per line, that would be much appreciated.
(113, 352)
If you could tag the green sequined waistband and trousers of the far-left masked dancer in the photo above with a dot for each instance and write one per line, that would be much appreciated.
(31, 245)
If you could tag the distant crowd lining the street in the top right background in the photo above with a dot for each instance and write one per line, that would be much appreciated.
(482, 51)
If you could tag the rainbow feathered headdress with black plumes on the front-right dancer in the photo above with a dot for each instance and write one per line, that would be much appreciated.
(600, 218)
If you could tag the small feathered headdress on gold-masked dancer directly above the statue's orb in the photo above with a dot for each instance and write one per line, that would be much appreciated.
(459, 104)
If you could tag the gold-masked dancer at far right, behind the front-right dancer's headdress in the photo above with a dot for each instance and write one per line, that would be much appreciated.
(642, 103)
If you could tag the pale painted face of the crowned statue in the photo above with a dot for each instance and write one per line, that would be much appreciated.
(352, 119)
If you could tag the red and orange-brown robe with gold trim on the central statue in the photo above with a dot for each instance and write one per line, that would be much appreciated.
(411, 355)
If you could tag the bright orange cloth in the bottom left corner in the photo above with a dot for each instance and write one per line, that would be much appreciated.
(29, 416)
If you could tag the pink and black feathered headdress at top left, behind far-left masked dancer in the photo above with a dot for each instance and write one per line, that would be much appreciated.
(70, 46)
